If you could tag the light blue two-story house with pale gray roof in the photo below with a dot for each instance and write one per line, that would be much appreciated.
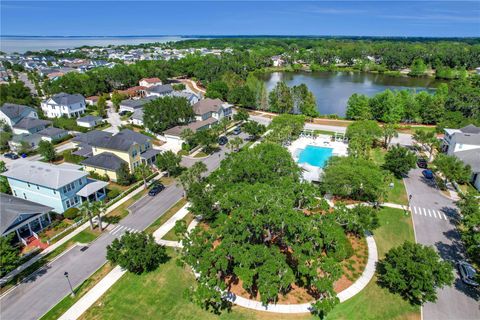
(57, 186)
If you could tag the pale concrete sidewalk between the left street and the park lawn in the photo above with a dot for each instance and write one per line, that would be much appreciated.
(113, 276)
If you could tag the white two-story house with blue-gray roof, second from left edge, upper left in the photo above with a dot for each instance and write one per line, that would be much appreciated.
(64, 104)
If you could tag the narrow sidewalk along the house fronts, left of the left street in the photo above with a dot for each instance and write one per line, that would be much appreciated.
(65, 239)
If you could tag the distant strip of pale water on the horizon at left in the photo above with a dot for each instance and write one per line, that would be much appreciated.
(23, 44)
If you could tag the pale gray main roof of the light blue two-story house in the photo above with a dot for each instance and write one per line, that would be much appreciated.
(45, 174)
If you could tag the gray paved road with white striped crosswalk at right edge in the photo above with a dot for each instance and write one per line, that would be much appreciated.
(434, 217)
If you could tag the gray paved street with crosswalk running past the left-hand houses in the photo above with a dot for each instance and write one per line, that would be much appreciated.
(38, 294)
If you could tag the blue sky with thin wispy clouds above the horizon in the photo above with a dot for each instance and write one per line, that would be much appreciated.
(356, 18)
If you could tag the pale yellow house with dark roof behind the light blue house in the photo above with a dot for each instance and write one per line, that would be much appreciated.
(125, 147)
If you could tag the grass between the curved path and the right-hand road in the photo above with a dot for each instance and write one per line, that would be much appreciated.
(374, 302)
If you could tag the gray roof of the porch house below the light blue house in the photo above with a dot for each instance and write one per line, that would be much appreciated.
(12, 207)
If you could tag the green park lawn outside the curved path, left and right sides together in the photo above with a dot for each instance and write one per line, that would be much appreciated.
(160, 294)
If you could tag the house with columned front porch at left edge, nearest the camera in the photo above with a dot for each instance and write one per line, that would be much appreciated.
(22, 217)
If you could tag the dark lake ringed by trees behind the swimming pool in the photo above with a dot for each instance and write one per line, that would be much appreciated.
(332, 89)
